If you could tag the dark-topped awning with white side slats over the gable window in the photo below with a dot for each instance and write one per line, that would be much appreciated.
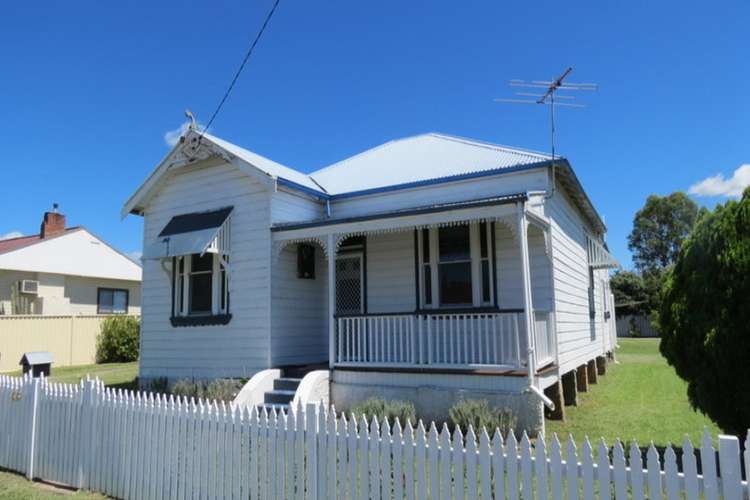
(198, 232)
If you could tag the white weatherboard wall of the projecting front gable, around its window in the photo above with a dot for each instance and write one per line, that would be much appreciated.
(241, 347)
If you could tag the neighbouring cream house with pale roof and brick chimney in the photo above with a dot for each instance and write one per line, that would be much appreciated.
(66, 271)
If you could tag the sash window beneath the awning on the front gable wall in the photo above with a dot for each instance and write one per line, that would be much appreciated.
(200, 285)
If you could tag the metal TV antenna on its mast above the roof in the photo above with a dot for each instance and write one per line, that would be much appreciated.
(550, 89)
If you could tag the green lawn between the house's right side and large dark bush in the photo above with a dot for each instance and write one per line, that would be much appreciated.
(641, 398)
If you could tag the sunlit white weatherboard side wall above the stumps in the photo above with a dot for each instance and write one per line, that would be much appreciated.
(578, 338)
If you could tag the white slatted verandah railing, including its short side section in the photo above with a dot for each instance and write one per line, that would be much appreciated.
(441, 339)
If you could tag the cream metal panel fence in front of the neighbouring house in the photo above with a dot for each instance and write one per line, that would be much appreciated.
(70, 339)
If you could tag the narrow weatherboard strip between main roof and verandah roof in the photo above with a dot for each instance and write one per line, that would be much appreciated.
(471, 189)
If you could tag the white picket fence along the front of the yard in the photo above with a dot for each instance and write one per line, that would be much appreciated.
(145, 446)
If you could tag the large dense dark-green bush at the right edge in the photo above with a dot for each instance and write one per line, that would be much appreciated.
(704, 316)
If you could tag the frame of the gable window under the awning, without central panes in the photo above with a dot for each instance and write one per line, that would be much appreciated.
(181, 293)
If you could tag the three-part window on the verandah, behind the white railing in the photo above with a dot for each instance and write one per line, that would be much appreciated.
(459, 260)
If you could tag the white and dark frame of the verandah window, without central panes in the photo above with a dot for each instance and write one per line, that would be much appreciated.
(430, 236)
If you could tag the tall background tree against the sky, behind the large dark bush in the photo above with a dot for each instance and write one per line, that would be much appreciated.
(659, 229)
